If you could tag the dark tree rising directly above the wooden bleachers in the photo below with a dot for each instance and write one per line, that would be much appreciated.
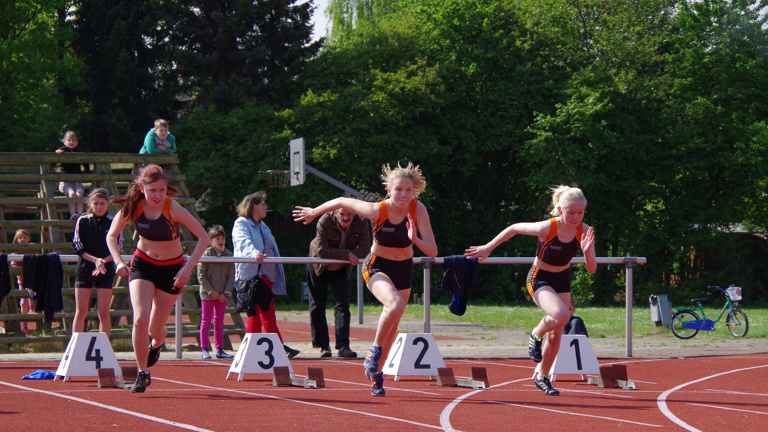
(127, 68)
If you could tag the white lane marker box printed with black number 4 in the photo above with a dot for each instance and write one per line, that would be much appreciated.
(85, 353)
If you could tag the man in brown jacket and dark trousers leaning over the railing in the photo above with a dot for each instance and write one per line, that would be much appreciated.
(340, 235)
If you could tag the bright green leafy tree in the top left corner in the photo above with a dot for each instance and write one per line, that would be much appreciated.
(36, 75)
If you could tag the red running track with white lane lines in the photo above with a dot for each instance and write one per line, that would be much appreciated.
(696, 393)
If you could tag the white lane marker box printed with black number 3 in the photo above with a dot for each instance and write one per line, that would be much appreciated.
(259, 353)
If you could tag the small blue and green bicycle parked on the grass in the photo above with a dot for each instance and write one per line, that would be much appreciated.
(686, 323)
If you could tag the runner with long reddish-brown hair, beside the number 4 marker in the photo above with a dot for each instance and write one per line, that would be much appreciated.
(158, 270)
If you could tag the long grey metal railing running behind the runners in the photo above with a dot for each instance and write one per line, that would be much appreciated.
(628, 263)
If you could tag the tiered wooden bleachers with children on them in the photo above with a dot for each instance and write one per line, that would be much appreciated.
(29, 199)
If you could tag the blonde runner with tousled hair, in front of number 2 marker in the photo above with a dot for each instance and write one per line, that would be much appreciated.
(399, 220)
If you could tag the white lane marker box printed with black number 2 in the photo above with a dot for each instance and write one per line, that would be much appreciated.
(413, 354)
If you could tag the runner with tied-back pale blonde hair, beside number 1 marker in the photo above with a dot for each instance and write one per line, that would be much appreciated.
(549, 280)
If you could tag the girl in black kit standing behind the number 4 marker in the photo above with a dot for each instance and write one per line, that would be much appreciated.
(95, 268)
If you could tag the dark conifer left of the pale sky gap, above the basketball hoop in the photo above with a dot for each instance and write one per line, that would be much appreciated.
(234, 50)
